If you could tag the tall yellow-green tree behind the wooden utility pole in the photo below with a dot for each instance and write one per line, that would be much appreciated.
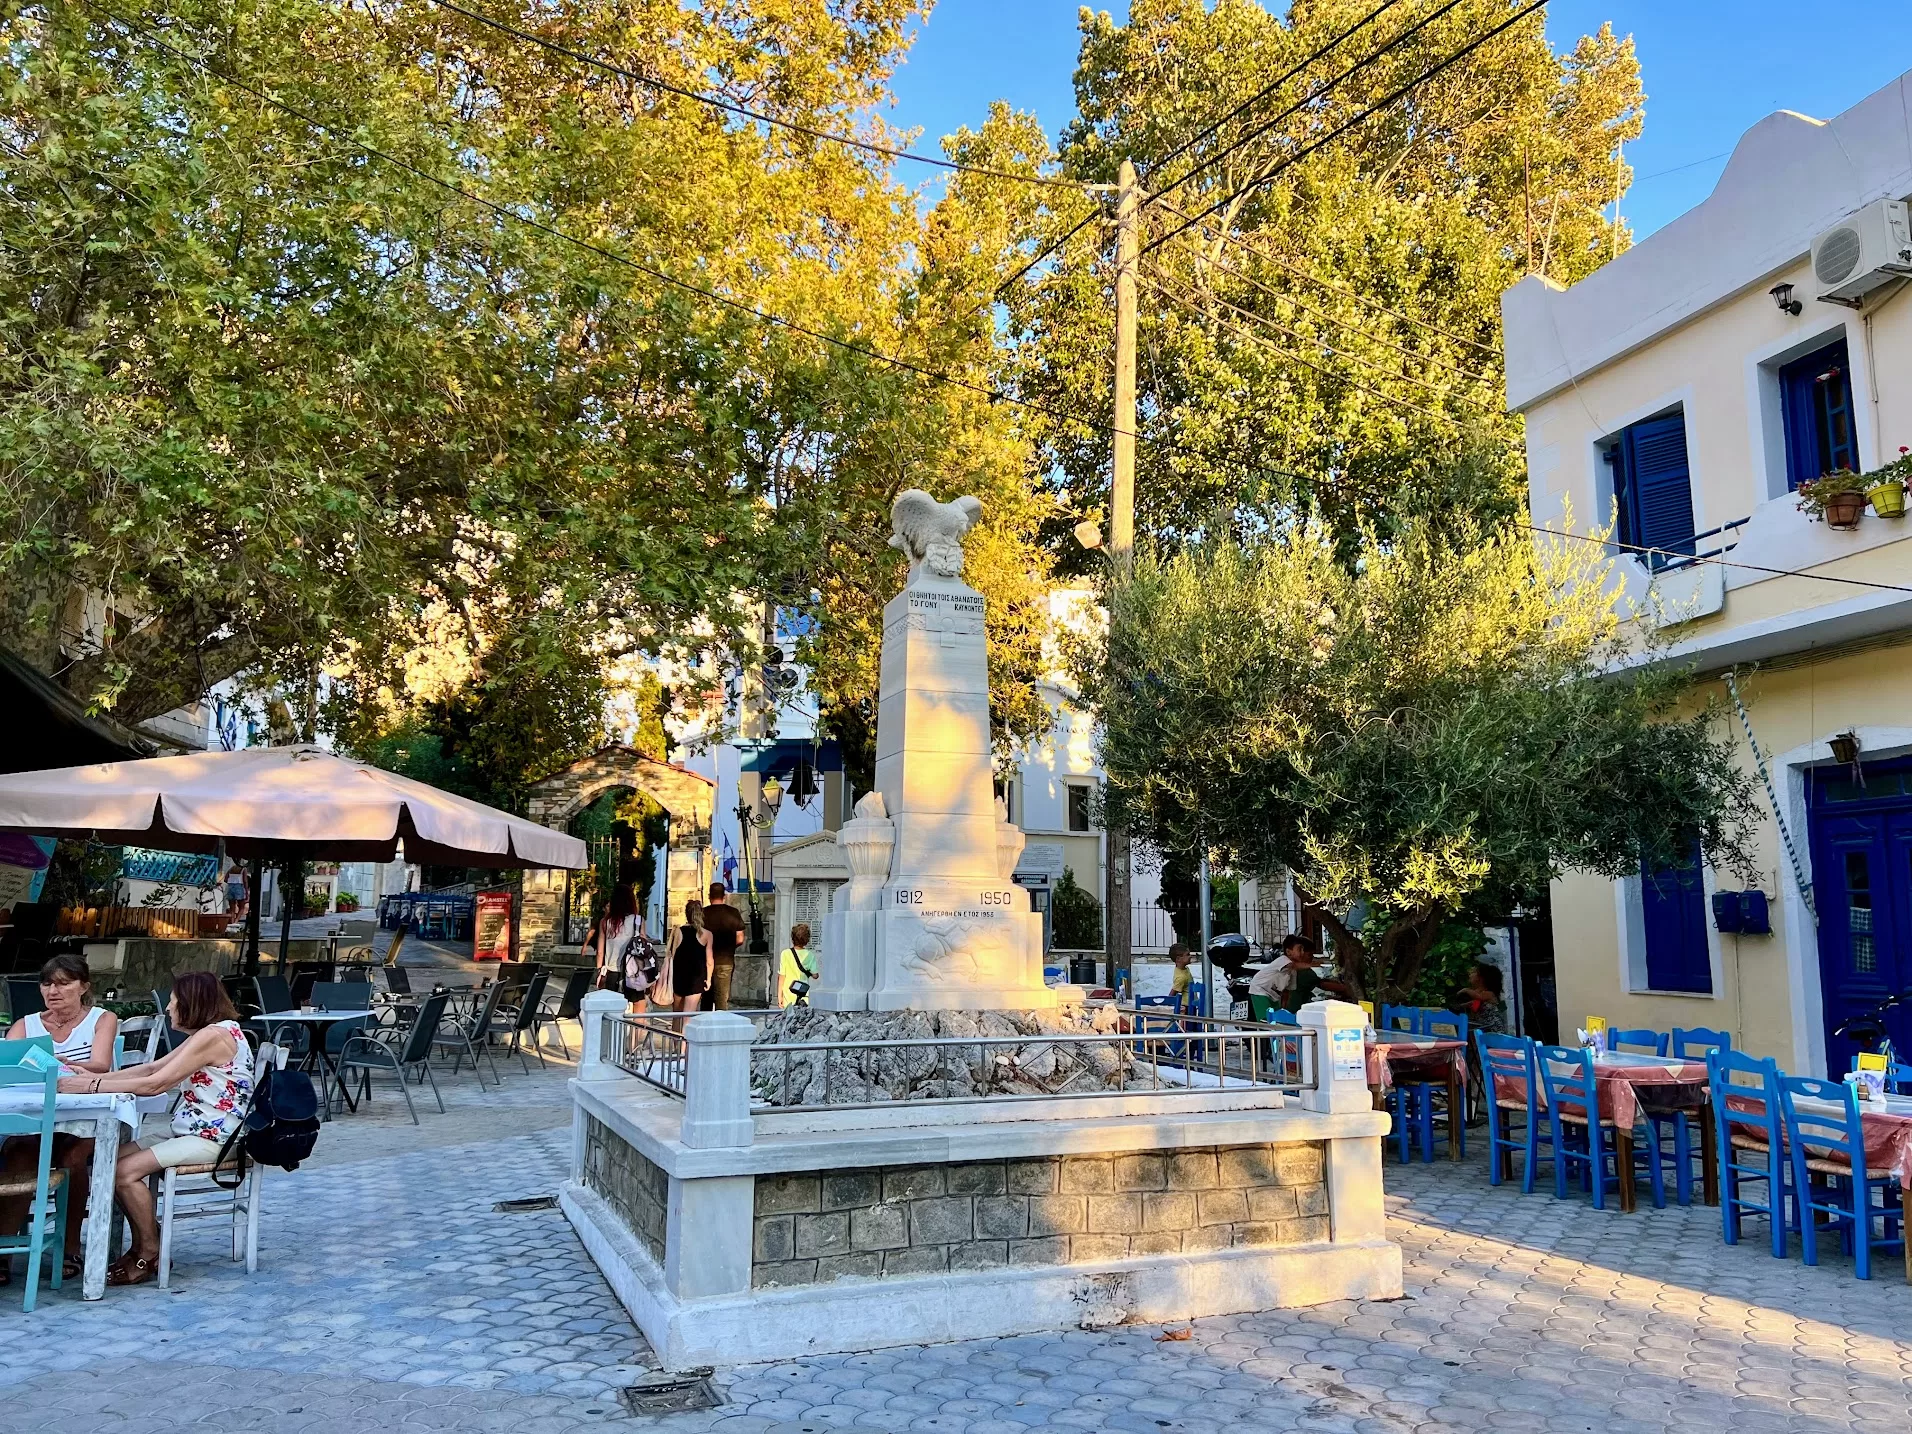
(1328, 341)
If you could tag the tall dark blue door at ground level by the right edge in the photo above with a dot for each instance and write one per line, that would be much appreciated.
(1863, 890)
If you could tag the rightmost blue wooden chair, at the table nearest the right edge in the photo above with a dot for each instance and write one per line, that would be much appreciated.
(1831, 1177)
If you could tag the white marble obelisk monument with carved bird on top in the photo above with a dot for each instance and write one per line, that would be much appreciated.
(930, 919)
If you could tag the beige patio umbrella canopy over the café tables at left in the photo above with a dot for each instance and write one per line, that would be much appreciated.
(276, 804)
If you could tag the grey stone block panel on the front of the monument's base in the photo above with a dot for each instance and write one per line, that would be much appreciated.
(1072, 1209)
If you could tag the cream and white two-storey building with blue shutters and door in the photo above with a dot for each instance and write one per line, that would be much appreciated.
(1684, 393)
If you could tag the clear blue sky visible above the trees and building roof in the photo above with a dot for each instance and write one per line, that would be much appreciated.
(1710, 72)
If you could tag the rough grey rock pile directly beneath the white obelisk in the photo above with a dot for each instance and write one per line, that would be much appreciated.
(879, 1072)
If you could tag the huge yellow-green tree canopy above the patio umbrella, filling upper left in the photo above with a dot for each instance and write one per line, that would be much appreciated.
(343, 332)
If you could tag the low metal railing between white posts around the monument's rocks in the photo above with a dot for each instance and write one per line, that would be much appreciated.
(1158, 1054)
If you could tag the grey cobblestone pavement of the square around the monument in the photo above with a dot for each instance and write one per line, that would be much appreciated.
(391, 1295)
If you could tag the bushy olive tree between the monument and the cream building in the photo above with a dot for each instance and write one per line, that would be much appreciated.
(1439, 728)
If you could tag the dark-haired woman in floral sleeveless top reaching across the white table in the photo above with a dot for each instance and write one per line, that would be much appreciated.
(213, 1070)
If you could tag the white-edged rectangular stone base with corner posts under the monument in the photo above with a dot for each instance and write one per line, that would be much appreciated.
(737, 1234)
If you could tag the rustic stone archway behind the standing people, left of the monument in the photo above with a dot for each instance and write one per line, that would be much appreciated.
(555, 800)
